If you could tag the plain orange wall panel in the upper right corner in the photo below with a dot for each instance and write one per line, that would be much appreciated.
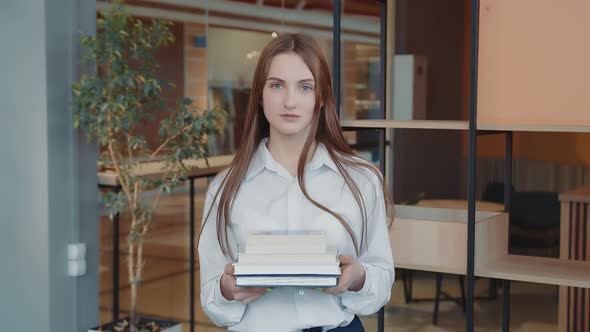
(534, 63)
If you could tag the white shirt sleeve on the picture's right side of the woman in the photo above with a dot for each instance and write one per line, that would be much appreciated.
(377, 259)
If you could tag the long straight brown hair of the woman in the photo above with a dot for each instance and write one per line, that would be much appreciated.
(325, 128)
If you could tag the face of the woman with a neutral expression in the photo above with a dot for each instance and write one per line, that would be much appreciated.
(288, 97)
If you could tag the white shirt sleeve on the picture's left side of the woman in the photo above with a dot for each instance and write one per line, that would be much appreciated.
(212, 262)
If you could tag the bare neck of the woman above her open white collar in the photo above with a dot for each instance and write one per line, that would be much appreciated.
(286, 150)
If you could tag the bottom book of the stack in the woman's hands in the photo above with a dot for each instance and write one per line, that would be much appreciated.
(253, 281)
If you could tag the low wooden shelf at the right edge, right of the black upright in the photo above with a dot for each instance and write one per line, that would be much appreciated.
(538, 269)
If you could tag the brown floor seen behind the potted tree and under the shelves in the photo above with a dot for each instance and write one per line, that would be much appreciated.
(164, 292)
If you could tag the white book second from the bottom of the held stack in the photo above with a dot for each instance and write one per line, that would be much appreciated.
(292, 269)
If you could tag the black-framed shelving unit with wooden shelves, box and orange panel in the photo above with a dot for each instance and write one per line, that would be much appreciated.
(475, 243)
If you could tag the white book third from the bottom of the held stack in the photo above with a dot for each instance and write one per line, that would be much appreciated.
(286, 259)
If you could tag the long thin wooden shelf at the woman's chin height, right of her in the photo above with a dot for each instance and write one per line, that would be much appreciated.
(409, 124)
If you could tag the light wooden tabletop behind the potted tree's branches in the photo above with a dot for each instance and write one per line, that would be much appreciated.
(216, 164)
